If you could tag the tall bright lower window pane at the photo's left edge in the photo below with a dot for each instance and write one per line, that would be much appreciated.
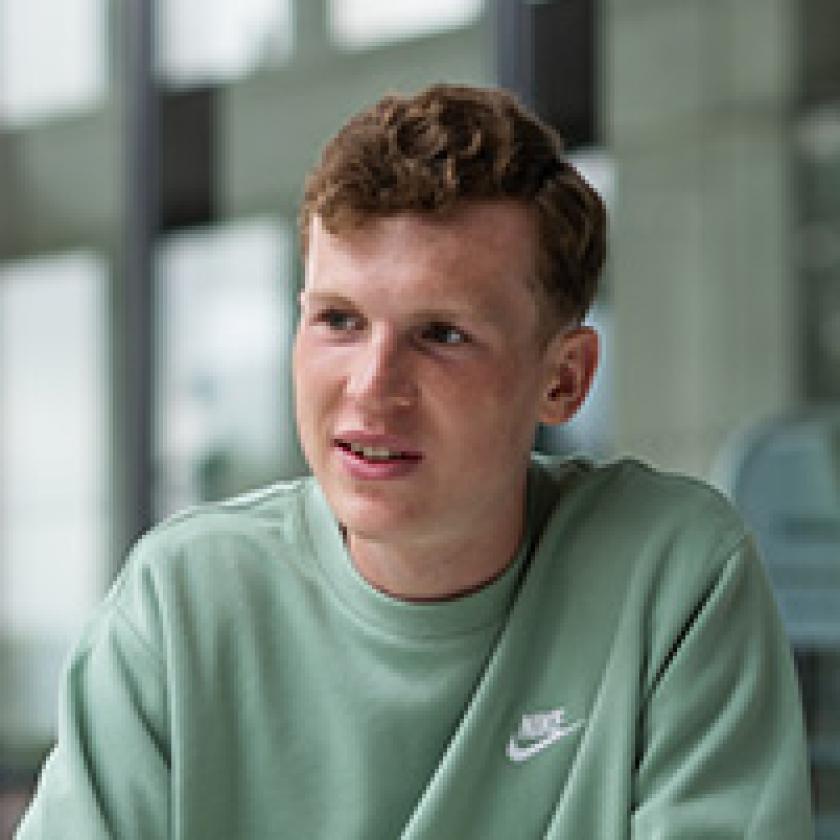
(54, 474)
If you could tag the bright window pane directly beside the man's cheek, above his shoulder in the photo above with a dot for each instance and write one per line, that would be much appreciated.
(225, 322)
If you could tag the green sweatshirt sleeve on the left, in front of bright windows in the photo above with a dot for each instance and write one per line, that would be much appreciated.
(108, 775)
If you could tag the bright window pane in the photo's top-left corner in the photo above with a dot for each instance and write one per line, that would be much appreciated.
(52, 57)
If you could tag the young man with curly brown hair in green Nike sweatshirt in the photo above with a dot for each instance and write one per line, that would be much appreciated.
(438, 636)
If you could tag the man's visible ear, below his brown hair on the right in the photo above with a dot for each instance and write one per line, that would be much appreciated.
(571, 359)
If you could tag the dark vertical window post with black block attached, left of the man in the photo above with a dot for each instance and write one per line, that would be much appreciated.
(170, 161)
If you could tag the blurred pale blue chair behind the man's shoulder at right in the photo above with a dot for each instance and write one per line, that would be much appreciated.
(783, 475)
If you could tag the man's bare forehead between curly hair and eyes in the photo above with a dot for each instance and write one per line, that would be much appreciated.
(429, 266)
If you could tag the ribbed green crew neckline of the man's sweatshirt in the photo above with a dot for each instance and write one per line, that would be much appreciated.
(428, 620)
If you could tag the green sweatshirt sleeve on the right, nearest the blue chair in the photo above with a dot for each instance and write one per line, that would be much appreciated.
(722, 747)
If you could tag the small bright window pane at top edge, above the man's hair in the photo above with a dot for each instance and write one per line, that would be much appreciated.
(357, 24)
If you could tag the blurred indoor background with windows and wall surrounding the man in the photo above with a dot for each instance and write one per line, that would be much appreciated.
(151, 162)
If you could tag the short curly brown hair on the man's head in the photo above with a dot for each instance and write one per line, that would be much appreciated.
(449, 144)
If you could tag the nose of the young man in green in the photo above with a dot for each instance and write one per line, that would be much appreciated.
(381, 376)
